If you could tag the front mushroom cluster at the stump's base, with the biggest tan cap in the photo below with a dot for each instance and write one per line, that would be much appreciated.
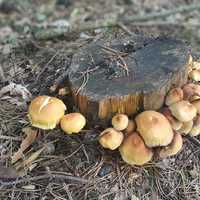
(138, 139)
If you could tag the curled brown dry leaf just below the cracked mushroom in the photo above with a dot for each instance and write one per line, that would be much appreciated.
(30, 138)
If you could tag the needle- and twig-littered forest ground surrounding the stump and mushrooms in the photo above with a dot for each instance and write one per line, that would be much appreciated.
(36, 48)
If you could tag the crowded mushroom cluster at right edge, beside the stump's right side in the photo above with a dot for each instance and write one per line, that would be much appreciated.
(183, 109)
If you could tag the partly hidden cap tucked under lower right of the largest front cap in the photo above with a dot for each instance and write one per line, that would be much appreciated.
(173, 148)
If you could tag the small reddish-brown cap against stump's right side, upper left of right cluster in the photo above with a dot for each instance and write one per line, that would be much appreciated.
(174, 95)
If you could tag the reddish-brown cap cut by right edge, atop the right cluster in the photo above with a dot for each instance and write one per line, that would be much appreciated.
(190, 90)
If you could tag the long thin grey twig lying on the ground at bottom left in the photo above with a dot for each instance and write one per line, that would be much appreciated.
(46, 176)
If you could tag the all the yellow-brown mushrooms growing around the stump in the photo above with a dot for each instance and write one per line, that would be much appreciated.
(138, 140)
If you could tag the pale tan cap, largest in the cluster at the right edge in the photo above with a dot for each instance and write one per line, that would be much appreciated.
(184, 111)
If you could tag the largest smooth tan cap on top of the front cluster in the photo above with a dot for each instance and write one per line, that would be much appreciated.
(154, 128)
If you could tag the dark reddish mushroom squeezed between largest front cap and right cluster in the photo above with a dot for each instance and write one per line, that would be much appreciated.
(176, 125)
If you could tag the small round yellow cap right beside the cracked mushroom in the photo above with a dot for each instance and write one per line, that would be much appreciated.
(72, 123)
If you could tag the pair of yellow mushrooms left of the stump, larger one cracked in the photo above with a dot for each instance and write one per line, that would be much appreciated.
(47, 112)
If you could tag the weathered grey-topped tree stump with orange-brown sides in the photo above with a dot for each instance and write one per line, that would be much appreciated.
(126, 76)
